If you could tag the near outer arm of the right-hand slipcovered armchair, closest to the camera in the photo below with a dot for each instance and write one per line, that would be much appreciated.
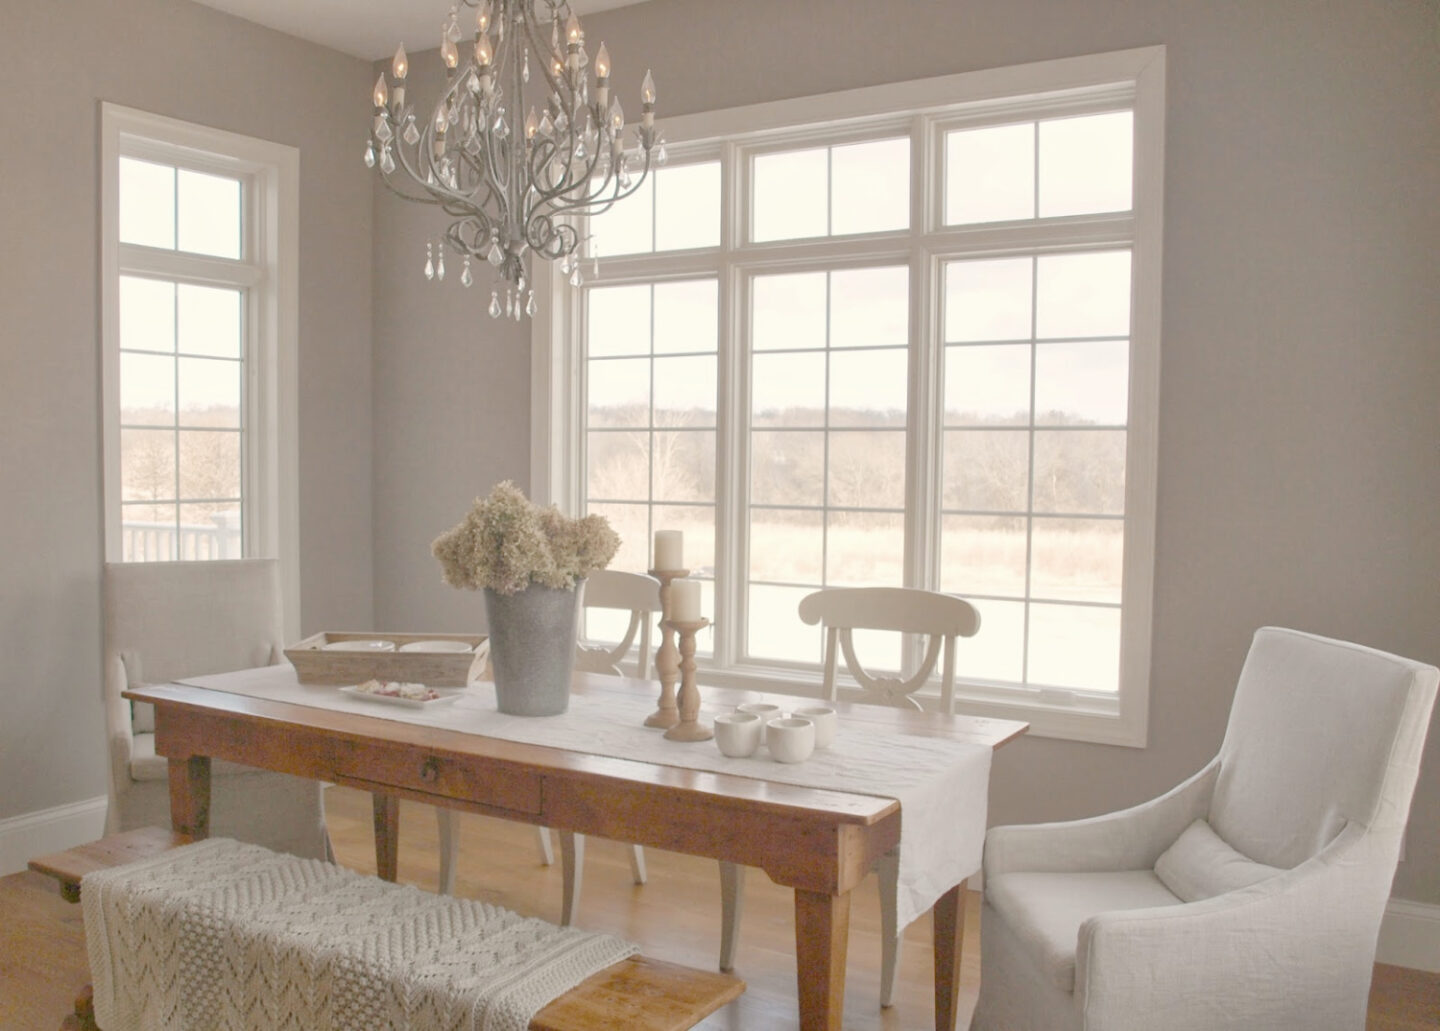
(1291, 954)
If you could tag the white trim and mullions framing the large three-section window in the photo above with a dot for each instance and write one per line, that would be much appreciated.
(1140, 76)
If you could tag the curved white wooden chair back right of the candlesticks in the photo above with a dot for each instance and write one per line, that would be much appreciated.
(906, 610)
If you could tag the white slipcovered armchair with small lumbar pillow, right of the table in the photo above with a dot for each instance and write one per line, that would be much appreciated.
(1248, 898)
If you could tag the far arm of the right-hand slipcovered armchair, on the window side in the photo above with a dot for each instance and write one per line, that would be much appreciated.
(1127, 840)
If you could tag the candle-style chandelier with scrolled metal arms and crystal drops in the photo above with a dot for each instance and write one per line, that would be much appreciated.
(513, 188)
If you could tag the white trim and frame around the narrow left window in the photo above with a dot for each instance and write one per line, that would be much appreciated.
(273, 368)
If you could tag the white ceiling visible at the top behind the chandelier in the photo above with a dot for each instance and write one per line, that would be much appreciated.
(366, 28)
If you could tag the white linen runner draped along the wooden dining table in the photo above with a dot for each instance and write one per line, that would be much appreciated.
(942, 785)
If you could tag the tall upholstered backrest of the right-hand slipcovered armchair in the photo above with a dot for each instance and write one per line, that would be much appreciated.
(1323, 734)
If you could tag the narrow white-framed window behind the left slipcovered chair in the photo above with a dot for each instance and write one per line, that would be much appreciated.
(198, 284)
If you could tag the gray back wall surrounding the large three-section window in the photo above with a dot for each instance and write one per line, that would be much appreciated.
(1298, 464)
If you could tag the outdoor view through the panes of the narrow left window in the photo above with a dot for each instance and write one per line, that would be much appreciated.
(182, 365)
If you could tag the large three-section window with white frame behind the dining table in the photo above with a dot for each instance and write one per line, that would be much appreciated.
(901, 338)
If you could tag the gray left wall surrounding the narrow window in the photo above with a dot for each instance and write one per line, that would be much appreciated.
(58, 61)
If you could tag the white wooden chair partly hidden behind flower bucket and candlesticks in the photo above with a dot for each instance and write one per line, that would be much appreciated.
(637, 595)
